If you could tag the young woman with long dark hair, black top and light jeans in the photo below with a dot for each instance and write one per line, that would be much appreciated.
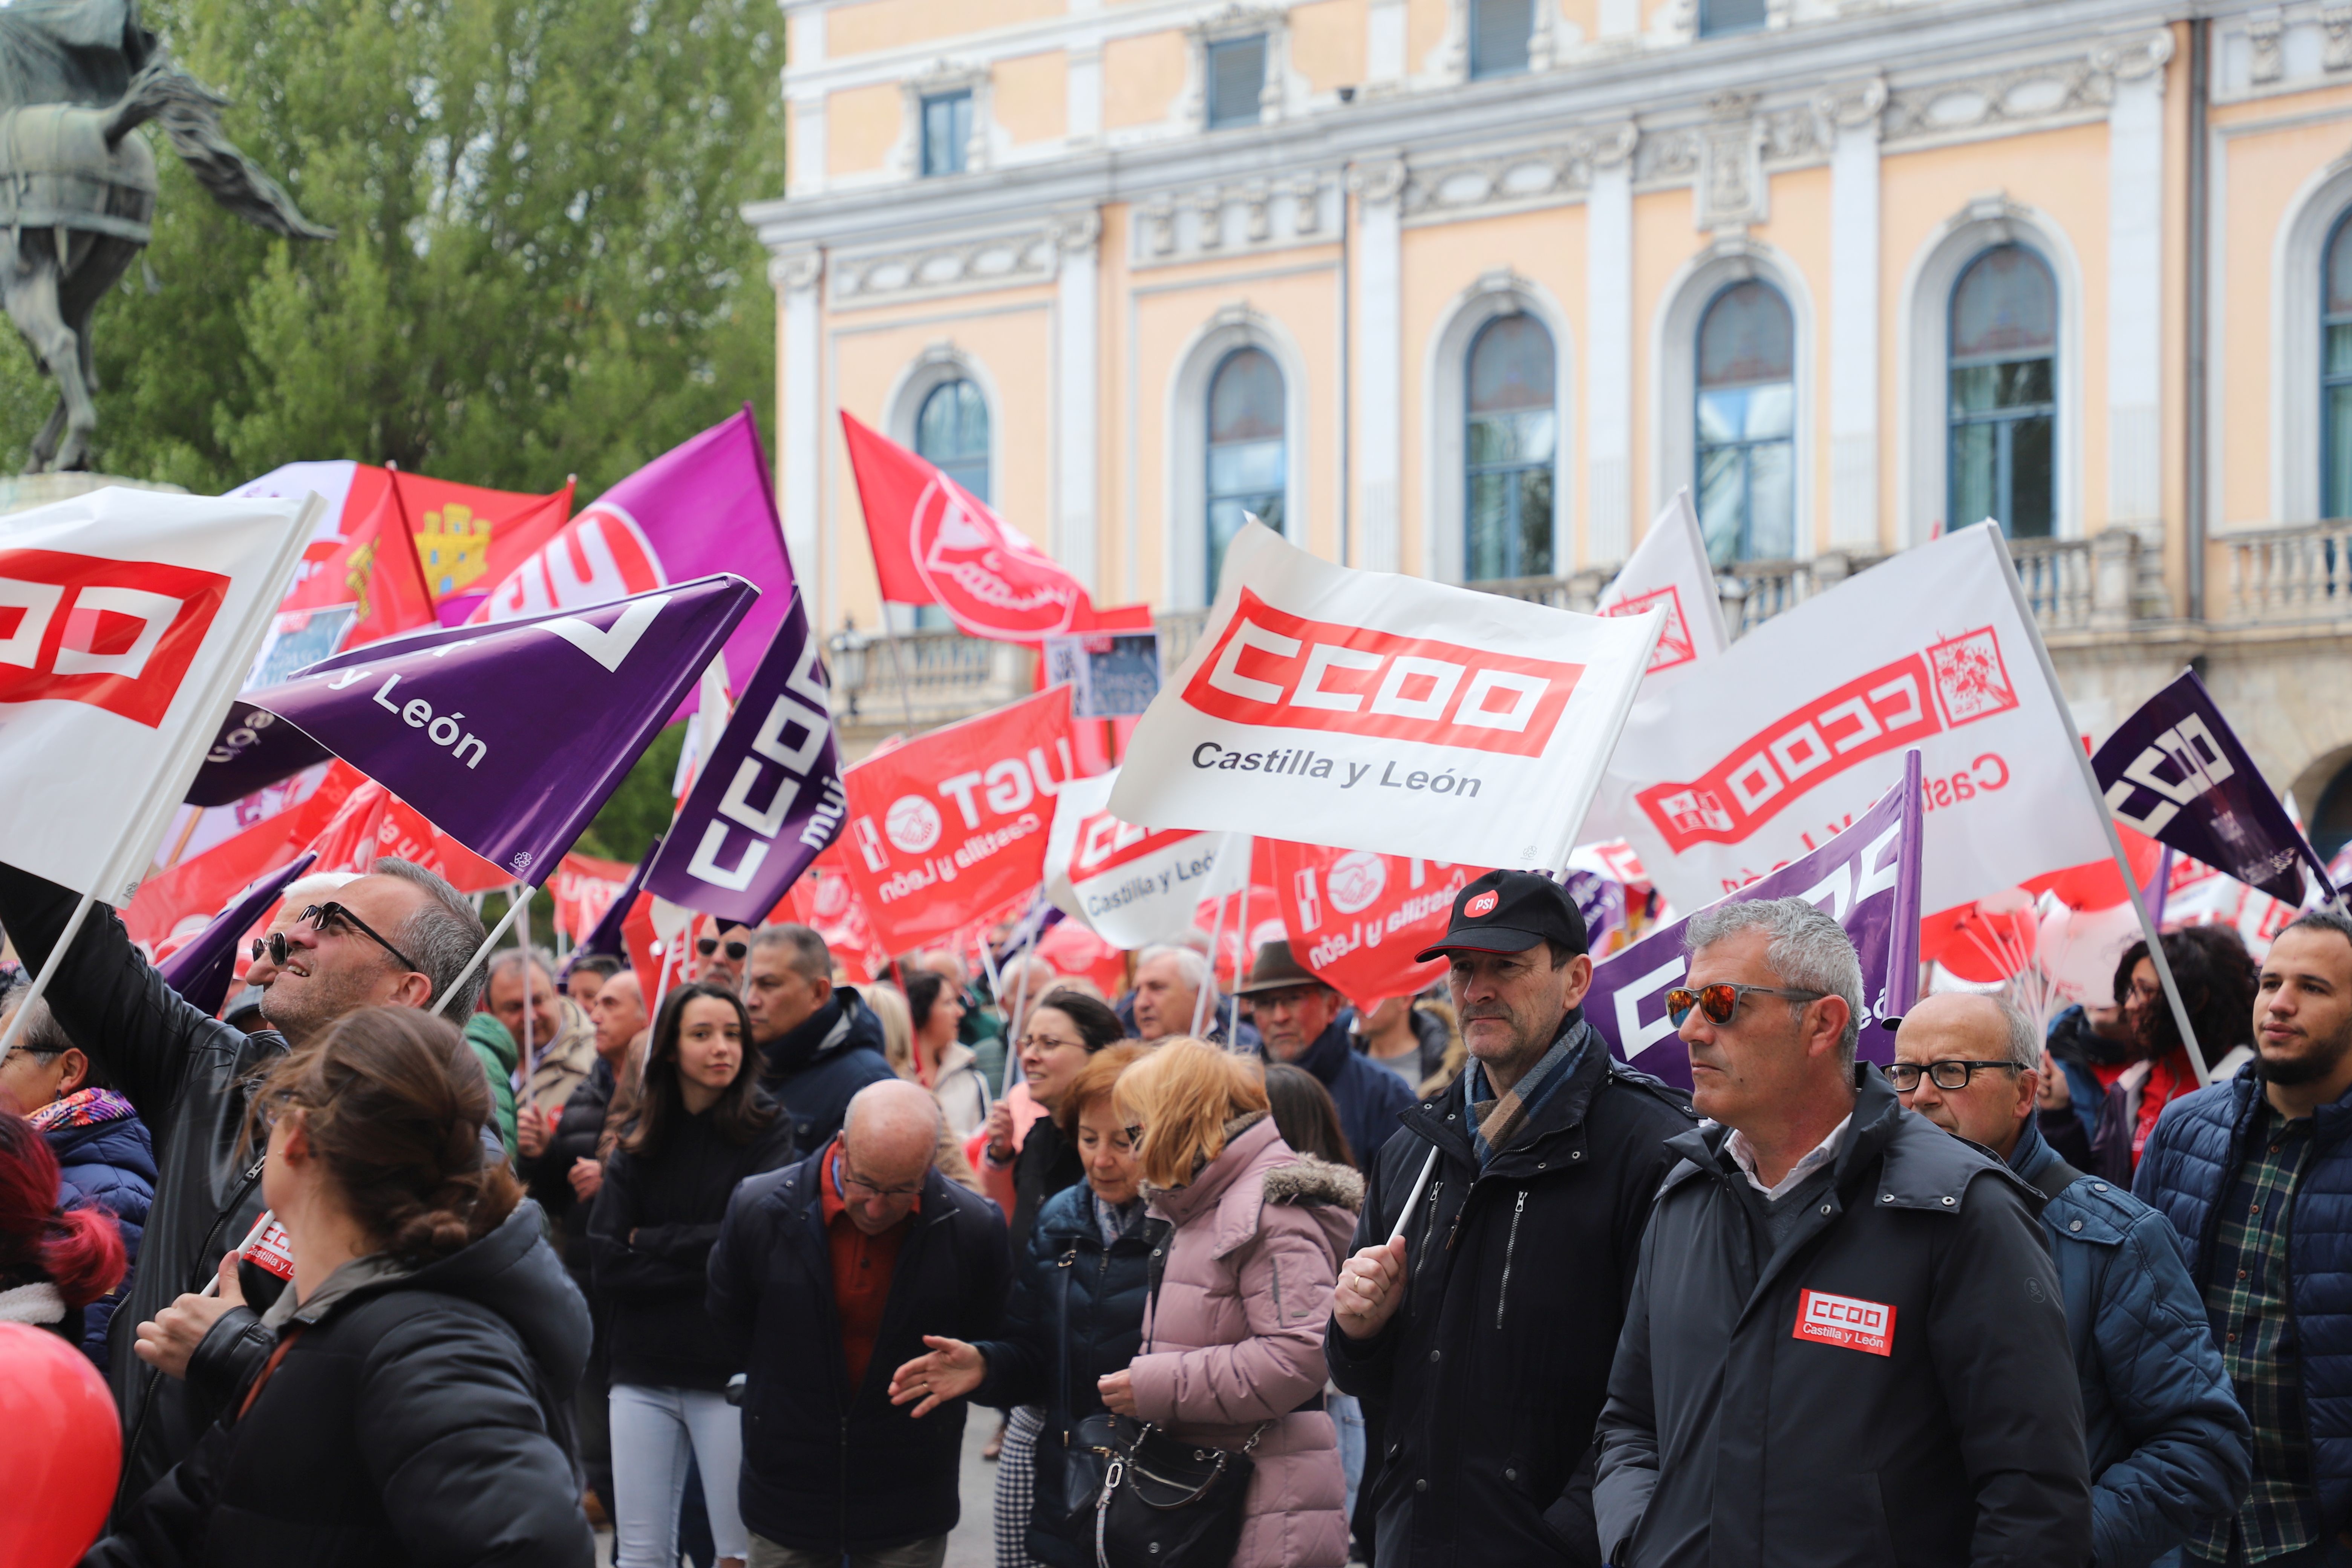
(702, 1127)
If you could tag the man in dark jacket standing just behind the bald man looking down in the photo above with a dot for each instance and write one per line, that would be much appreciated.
(820, 1040)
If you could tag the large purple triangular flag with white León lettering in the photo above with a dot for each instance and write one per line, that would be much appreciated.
(512, 737)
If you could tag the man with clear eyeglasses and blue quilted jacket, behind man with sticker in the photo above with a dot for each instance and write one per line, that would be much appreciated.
(2165, 1435)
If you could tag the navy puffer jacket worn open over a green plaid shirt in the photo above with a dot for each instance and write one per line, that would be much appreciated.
(2186, 1170)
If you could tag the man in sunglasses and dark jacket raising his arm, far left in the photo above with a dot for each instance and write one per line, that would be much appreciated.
(396, 937)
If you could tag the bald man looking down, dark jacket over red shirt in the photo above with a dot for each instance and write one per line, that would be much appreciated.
(829, 1275)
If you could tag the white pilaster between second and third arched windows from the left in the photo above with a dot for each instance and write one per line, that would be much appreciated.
(1379, 363)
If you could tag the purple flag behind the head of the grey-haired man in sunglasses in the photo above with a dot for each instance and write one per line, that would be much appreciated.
(1869, 878)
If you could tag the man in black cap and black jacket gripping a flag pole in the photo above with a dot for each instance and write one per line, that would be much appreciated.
(1497, 1247)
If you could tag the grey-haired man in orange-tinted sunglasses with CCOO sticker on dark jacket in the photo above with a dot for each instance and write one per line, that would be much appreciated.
(1847, 1341)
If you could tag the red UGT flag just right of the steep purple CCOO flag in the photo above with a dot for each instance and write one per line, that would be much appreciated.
(954, 824)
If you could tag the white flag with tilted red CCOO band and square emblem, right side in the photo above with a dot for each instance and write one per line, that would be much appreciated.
(1805, 721)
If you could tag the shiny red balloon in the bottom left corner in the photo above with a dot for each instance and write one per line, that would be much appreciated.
(65, 1449)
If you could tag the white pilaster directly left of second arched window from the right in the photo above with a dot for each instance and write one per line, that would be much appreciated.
(1852, 121)
